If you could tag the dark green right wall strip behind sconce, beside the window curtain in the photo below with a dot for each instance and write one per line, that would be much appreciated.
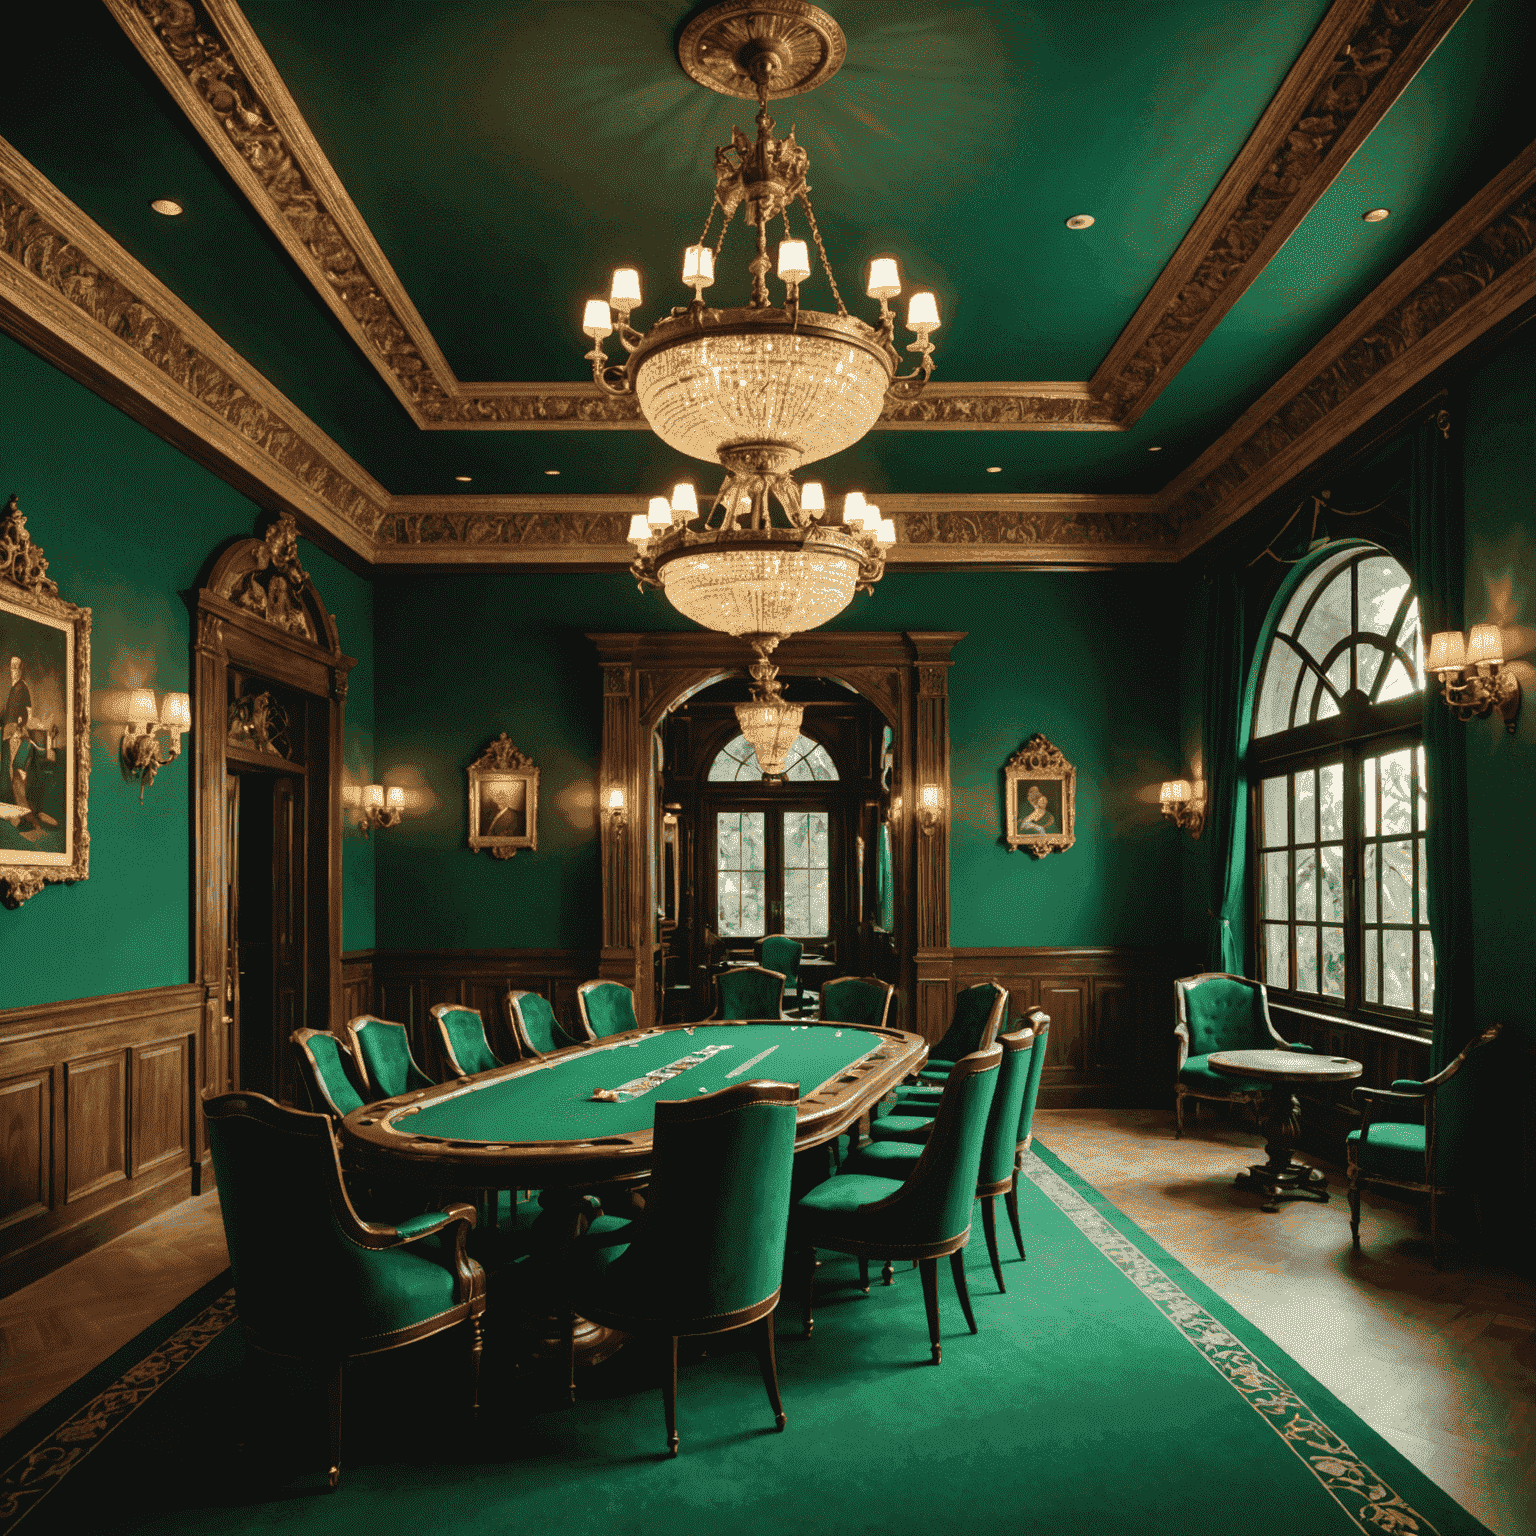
(1500, 469)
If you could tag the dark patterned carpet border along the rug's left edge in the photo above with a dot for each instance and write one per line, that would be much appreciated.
(33, 1475)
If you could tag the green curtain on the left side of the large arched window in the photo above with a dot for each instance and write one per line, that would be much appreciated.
(1223, 741)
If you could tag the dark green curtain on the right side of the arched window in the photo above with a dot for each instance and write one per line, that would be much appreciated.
(1438, 545)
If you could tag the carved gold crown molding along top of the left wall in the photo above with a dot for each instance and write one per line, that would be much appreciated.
(73, 294)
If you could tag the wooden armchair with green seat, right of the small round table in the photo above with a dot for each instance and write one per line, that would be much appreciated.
(1411, 1154)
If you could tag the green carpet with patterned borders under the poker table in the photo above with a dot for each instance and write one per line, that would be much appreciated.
(1110, 1391)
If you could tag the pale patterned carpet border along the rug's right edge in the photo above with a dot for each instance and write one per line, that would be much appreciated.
(1365, 1497)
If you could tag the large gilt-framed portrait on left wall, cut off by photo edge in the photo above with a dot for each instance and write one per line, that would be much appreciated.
(45, 730)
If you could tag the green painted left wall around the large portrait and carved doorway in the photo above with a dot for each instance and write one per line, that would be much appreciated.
(128, 523)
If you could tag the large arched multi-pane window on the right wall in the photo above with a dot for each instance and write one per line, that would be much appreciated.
(1339, 801)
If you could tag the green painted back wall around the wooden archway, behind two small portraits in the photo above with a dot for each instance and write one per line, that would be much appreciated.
(465, 658)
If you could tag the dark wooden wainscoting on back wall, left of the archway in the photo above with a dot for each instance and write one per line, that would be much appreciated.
(406, 984)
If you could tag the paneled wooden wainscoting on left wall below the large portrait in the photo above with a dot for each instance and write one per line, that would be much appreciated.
(98, 1104)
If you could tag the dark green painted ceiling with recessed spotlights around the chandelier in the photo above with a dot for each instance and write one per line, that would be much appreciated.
(509, 154)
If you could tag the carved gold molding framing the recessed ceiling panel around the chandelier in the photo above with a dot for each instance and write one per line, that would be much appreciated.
(1357, 64)
